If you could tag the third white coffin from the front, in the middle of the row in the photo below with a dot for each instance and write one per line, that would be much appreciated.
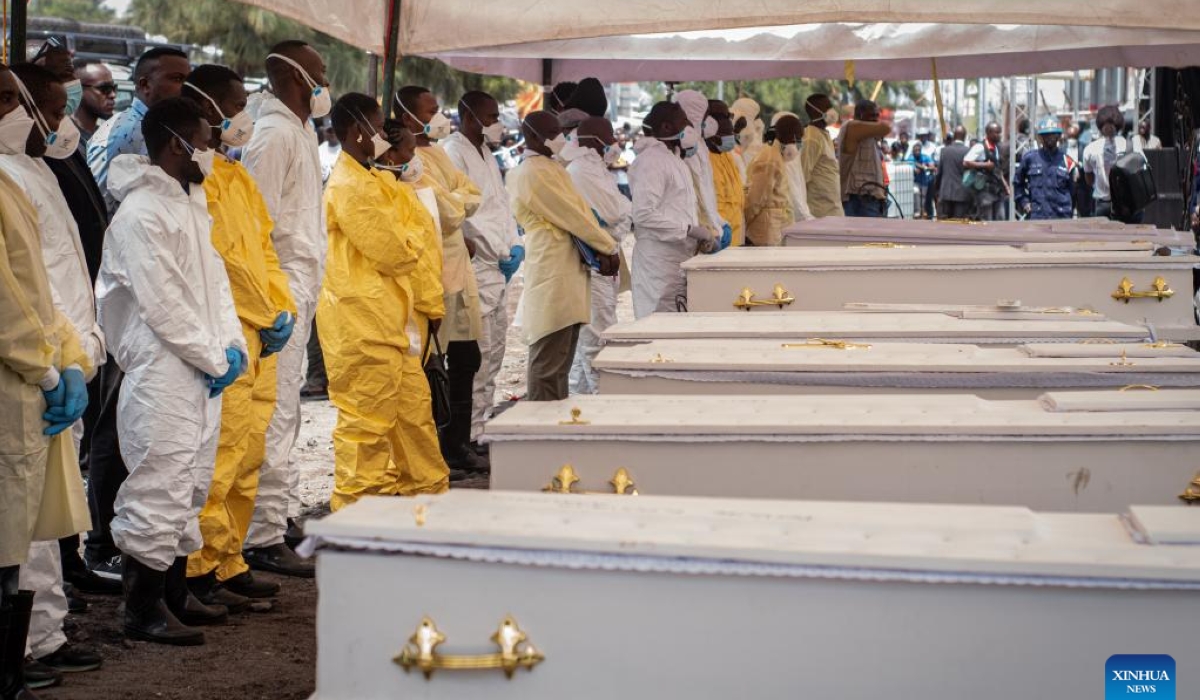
(825, 367)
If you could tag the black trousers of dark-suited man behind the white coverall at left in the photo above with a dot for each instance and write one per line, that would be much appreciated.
(101, 452)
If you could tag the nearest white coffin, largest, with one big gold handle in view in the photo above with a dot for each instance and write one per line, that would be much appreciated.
(692, 599)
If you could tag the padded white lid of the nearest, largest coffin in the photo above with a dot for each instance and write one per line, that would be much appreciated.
(873, 536)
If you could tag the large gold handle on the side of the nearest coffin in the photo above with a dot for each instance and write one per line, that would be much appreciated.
(515, 653)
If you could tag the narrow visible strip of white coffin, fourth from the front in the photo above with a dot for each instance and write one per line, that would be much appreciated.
(929, 328)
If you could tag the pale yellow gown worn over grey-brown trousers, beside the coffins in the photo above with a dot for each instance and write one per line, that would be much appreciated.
(548, 206)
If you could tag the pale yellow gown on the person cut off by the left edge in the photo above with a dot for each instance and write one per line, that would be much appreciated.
(37, 343)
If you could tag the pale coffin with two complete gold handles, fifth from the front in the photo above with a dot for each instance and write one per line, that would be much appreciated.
(827, 279)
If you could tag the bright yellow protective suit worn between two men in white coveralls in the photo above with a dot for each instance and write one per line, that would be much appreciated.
(242, 236)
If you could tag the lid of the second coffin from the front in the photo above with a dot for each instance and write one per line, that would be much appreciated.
(911, 417)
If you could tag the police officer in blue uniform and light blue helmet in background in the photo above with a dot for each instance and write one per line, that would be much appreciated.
(1043, 184)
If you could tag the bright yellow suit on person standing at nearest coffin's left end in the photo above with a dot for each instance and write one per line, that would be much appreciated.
(363, 319)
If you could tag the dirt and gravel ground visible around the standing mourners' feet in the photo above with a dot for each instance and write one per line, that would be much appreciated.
(269, 656)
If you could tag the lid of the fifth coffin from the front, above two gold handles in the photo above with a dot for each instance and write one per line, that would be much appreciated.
(956, 256)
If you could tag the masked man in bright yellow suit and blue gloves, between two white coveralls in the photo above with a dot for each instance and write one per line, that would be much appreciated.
(242, 236)
